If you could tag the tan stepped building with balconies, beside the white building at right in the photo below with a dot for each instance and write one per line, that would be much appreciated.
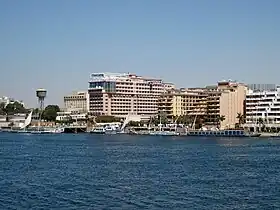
(210, 103)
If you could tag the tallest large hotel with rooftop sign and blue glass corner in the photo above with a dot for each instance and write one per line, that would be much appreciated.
(120, 94)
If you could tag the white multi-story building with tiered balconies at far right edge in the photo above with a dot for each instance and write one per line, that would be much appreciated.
(264, 105)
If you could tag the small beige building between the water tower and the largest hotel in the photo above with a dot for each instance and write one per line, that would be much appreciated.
(76, 102)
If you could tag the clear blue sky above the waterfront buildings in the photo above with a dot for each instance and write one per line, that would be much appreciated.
(56, 44)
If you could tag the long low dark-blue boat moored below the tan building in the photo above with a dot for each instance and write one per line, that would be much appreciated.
(222, 133)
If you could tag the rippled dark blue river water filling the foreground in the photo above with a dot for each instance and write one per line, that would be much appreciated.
(138, 172)
